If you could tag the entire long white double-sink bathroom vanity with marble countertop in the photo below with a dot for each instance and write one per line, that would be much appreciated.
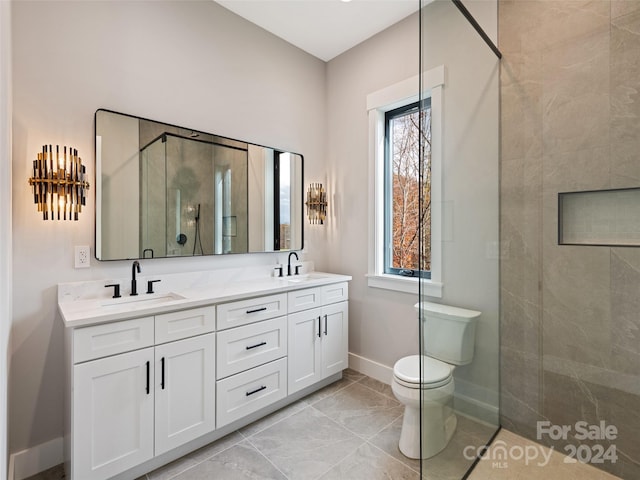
(152, 377)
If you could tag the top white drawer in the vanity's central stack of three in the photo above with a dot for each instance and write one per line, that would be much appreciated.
(234, 314)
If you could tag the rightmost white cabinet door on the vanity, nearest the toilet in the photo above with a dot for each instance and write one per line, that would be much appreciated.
(335, 338)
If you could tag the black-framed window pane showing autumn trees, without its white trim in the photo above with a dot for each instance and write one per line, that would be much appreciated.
(407, 191)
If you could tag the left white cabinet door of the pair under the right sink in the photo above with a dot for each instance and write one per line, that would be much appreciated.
(305, 349)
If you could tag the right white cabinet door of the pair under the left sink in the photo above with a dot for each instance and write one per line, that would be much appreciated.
(185, 391)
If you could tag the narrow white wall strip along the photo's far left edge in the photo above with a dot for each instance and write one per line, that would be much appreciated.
(5, 223)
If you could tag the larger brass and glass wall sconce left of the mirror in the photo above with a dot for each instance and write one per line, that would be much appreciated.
(58, 184)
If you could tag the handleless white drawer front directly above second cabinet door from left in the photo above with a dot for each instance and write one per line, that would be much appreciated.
(184, 324)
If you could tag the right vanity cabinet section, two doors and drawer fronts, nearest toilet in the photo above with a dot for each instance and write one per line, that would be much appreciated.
(318, 334)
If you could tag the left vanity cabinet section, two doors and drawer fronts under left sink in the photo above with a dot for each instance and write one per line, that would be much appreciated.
(129, 403)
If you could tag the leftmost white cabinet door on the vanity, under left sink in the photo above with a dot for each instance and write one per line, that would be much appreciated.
(112, 414)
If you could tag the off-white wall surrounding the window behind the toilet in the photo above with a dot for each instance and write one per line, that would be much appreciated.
(383, 324)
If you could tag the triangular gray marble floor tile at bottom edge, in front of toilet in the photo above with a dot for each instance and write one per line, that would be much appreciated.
(370, 463)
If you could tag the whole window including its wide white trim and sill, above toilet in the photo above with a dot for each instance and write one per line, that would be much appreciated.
(394, 239)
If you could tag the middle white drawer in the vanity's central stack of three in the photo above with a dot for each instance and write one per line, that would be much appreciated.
(248, 346)
